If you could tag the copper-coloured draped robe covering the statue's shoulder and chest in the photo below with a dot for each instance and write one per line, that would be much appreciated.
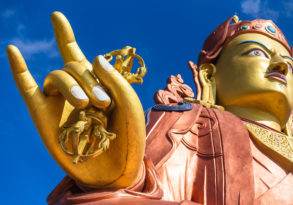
(199, 156)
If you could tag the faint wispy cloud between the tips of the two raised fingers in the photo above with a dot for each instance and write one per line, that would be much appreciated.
(31, 47)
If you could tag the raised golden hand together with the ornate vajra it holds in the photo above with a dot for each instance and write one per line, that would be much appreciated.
(72, 91)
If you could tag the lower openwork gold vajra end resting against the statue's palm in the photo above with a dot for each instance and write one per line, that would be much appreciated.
(87, 137)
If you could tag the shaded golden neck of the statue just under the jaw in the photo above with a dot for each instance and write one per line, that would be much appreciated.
(256, 115)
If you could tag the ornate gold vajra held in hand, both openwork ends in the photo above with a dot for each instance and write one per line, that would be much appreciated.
(88, 136)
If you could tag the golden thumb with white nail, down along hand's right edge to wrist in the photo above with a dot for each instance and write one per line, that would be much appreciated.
(127, 121)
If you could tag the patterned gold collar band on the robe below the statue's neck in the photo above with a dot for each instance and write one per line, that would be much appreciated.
(273, 141)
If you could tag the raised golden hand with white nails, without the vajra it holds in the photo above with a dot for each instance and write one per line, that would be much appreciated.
(77, 86)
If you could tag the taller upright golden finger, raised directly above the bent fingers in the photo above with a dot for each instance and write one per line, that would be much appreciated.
(67, 44)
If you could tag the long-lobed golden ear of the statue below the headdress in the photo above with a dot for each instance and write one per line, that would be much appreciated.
(207, 80)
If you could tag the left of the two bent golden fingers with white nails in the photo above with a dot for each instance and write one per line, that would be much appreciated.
(59, 81)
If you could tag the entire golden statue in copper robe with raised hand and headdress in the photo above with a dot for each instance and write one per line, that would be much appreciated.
(231, 143)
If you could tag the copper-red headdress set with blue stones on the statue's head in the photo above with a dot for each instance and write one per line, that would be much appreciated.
(232, 28)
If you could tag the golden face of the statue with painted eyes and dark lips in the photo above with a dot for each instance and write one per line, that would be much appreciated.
(255, 71)
